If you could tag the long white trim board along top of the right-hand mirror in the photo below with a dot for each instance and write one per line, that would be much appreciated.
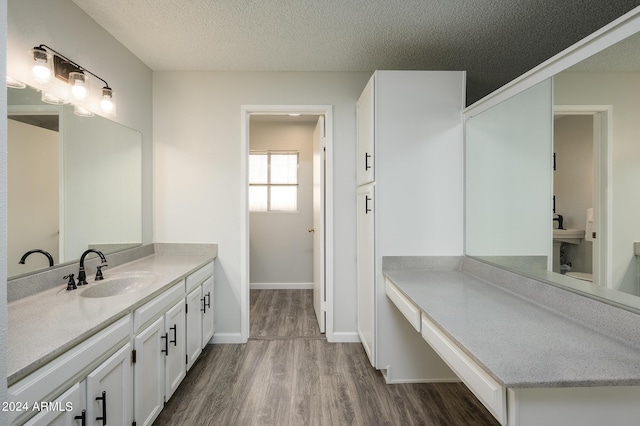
(607, 36)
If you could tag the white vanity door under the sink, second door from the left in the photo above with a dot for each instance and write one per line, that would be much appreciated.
(109, 391)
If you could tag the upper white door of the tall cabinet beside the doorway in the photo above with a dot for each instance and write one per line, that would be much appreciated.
(365, 134)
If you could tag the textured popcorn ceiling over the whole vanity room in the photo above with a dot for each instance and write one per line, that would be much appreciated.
(493, 40)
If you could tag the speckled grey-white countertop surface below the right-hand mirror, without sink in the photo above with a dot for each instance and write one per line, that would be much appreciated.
(520, 343)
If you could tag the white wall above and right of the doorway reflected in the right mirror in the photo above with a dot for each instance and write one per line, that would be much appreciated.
(615, 89)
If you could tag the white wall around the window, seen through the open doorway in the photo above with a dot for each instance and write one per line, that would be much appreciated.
(281, 248)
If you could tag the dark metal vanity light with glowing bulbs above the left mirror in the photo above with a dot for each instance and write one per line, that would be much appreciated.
(48, 62)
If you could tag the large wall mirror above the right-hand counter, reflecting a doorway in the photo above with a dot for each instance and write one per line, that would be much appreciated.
(552, 177)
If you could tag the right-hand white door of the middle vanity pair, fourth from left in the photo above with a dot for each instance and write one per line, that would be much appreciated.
(175, 360)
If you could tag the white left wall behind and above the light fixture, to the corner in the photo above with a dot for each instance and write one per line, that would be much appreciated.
(63, 26)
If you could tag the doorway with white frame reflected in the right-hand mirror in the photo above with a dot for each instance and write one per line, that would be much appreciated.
(582, 143)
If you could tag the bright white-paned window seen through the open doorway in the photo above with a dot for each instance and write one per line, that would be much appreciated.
(273, 181)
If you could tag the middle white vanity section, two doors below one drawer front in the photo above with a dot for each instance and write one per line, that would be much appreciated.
(159, 343)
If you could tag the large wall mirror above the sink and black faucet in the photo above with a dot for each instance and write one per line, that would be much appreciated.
(73, 183)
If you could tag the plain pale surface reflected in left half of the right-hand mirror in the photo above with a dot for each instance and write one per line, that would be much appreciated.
(508, 177)
